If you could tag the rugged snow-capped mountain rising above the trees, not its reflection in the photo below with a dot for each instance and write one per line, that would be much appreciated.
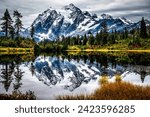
(71, 21)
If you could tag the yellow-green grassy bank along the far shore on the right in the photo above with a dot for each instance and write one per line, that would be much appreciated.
(121, 45)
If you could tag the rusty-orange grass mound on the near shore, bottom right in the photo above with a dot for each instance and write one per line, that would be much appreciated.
(115, 91)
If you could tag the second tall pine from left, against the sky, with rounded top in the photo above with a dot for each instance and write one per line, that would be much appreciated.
(18, 23)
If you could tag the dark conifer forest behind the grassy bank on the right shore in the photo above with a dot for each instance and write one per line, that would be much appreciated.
(104, 37)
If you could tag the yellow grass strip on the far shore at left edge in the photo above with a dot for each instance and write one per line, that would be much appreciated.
(10, 50)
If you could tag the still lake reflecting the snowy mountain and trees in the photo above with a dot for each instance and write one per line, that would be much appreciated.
(53, 75)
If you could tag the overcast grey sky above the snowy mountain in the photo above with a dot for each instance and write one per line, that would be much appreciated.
(131, 9)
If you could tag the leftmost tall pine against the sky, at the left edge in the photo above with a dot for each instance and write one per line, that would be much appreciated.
(7, 23)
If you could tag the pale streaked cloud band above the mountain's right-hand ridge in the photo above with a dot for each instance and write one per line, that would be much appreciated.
(132, 12)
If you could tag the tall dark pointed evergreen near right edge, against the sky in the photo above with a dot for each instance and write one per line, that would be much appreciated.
(143, 31)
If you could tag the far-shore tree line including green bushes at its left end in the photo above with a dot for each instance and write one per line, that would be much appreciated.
(135, 38)
